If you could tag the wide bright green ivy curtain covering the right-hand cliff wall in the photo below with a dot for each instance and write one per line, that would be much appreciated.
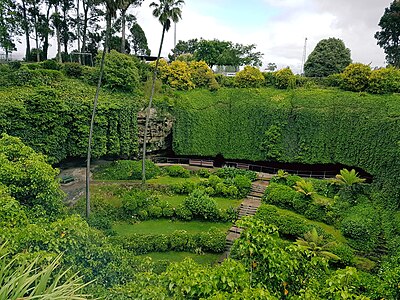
(303, 126)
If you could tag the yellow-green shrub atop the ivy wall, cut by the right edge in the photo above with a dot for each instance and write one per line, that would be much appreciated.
(383, 81)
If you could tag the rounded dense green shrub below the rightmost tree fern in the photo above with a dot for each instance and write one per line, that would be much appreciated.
(361, 226)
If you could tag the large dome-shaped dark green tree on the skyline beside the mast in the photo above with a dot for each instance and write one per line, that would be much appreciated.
(330, 56)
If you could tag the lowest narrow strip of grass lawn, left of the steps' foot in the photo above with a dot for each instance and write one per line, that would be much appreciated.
(204, 259)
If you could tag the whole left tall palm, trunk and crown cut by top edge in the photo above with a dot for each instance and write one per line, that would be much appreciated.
(111, 12)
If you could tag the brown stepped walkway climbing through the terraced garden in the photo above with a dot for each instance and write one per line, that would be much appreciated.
(248, 207)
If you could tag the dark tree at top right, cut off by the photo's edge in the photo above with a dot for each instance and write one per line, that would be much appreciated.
(389, 35)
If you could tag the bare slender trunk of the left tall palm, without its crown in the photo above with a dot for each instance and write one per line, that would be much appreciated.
(96, 98)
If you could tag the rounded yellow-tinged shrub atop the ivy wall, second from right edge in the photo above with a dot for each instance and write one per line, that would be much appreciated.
(355, 77)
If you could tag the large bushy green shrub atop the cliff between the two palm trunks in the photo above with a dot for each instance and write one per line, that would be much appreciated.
(120, 72)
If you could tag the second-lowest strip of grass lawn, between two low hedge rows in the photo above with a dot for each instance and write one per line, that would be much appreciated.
(166, 226)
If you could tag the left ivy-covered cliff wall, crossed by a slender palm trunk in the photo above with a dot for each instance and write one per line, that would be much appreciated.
(55, 120)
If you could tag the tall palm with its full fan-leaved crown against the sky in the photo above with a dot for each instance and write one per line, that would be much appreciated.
(166, 11)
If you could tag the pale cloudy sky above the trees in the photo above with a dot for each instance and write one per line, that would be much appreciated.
(277, 27)
